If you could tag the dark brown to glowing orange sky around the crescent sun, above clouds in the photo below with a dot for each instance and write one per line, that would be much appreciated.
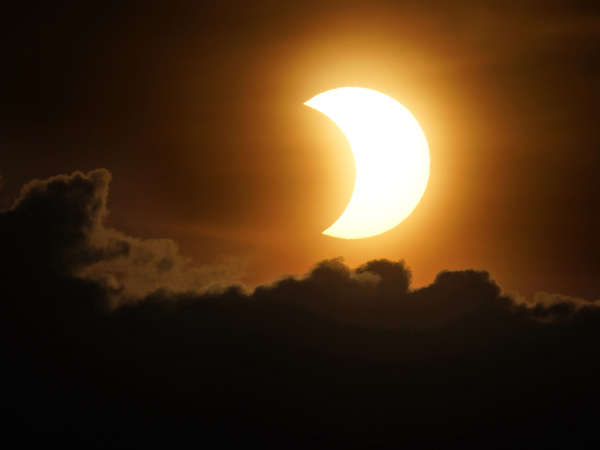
(196, 109)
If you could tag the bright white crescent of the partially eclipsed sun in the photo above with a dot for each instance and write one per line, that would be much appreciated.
(391, 156)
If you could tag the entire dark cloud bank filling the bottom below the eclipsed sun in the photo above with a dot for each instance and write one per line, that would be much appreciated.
(114, 339)
